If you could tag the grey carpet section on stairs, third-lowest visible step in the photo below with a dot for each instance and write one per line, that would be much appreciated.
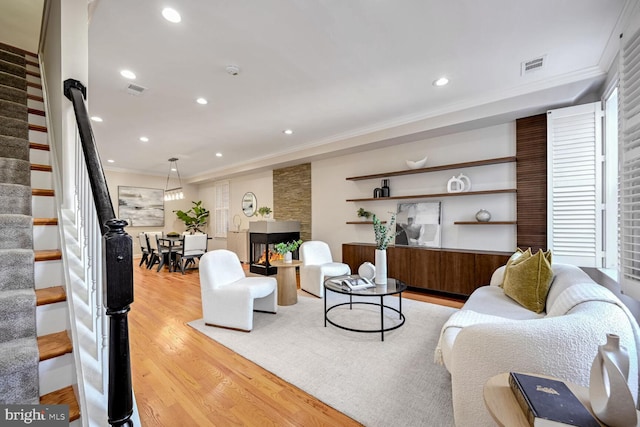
(16, 269)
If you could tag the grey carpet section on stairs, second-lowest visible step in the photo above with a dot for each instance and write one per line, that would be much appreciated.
(17, 317)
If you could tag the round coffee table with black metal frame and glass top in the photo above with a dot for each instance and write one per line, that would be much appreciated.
(392, 287)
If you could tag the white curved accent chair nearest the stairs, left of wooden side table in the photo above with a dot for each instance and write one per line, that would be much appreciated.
(229, 298)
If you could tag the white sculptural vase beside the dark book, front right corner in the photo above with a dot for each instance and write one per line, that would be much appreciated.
(609, 395)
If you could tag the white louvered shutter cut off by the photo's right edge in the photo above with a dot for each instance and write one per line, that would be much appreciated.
(629, 154)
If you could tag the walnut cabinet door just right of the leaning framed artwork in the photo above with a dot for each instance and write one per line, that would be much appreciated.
(458, 272)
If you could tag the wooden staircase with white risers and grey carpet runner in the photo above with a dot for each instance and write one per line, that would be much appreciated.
(29, 235)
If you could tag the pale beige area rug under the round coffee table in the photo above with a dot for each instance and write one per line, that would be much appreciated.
(390, 383)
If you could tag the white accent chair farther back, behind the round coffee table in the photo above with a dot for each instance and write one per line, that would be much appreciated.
(316, 265)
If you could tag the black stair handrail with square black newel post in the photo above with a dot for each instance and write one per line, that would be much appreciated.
(117, 250)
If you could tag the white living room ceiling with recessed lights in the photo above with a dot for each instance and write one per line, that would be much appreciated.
(343, 75)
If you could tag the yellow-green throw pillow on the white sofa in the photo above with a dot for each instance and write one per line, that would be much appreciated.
(527, 280)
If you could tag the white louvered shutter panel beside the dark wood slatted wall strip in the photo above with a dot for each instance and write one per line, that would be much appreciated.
(574, 162)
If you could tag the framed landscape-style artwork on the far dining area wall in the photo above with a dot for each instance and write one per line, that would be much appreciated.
(141, 207)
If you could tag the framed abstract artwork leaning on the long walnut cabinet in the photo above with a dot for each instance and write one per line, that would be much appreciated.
(418, 224)
